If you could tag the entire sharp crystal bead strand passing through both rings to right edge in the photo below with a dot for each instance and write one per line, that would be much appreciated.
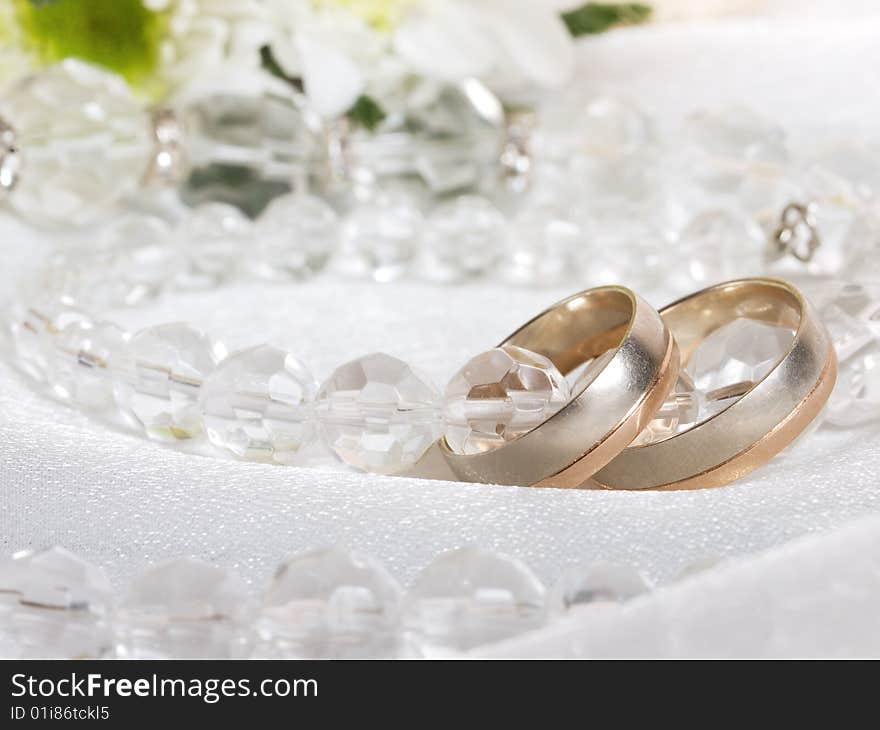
(376, 413)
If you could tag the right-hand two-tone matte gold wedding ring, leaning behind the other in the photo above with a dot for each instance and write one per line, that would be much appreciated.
(764, 420)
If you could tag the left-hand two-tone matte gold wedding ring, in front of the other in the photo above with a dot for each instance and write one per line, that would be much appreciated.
(640, 369)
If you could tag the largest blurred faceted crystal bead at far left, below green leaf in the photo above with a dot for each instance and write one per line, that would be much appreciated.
(84, 142)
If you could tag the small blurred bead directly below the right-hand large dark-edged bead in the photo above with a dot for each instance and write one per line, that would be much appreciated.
(463, 238)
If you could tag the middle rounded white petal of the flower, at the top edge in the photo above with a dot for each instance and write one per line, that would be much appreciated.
(445, 42)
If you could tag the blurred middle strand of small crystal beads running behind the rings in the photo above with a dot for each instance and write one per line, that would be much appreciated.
(549, 242)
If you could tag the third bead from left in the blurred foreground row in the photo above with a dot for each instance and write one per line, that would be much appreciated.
(330, 603)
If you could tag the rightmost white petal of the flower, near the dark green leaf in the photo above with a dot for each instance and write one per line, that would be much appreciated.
(534, 38)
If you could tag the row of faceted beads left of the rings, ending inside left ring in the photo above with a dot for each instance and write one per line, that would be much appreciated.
(376, 413)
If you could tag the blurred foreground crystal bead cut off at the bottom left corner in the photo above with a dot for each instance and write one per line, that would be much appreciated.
(53, 604)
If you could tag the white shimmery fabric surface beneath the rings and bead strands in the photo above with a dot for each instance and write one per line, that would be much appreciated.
(126, 503)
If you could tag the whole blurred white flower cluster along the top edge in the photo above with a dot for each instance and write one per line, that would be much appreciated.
(344, 48)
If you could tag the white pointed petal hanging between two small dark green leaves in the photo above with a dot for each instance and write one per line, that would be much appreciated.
(332, 80)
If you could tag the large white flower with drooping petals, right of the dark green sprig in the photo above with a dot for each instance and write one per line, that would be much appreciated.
(344, 48)
